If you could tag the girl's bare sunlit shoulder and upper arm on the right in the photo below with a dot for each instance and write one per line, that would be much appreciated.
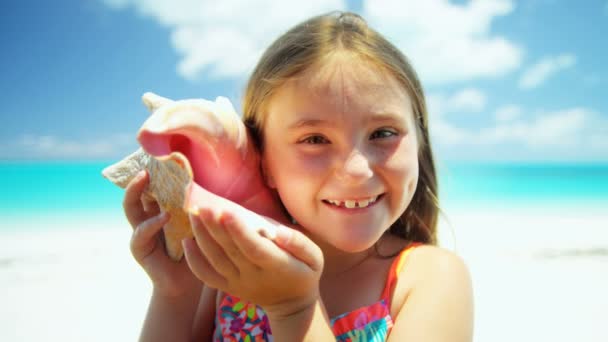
(440, 305)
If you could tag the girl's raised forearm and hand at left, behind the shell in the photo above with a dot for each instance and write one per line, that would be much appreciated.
(176, 291)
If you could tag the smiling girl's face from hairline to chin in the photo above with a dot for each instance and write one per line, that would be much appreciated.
(340, 148)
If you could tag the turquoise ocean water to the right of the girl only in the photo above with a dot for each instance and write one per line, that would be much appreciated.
(580, 186)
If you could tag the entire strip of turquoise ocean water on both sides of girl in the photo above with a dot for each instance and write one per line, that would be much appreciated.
(33, 189)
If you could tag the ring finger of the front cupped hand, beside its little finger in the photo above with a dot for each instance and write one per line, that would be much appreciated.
(212, 251)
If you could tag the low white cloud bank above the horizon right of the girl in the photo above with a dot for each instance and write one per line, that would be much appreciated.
(569, 134)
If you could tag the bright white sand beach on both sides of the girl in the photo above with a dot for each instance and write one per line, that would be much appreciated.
(537, 276)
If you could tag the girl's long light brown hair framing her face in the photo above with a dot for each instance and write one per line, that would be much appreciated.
(309, 43)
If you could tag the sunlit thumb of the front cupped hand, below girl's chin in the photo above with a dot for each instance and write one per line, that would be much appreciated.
(300, 246)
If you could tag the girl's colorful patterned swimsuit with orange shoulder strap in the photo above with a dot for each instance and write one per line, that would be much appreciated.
(241, 321)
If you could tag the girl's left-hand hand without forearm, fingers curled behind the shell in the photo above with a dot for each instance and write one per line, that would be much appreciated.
(169, 278)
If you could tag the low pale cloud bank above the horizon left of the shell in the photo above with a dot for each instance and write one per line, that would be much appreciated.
(30, 146)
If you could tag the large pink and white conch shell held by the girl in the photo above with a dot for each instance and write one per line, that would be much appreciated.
(199, 153)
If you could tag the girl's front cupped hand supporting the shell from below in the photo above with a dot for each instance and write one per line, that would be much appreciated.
(280, 276)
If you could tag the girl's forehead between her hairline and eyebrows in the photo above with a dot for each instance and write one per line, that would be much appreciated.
(341, 87)
